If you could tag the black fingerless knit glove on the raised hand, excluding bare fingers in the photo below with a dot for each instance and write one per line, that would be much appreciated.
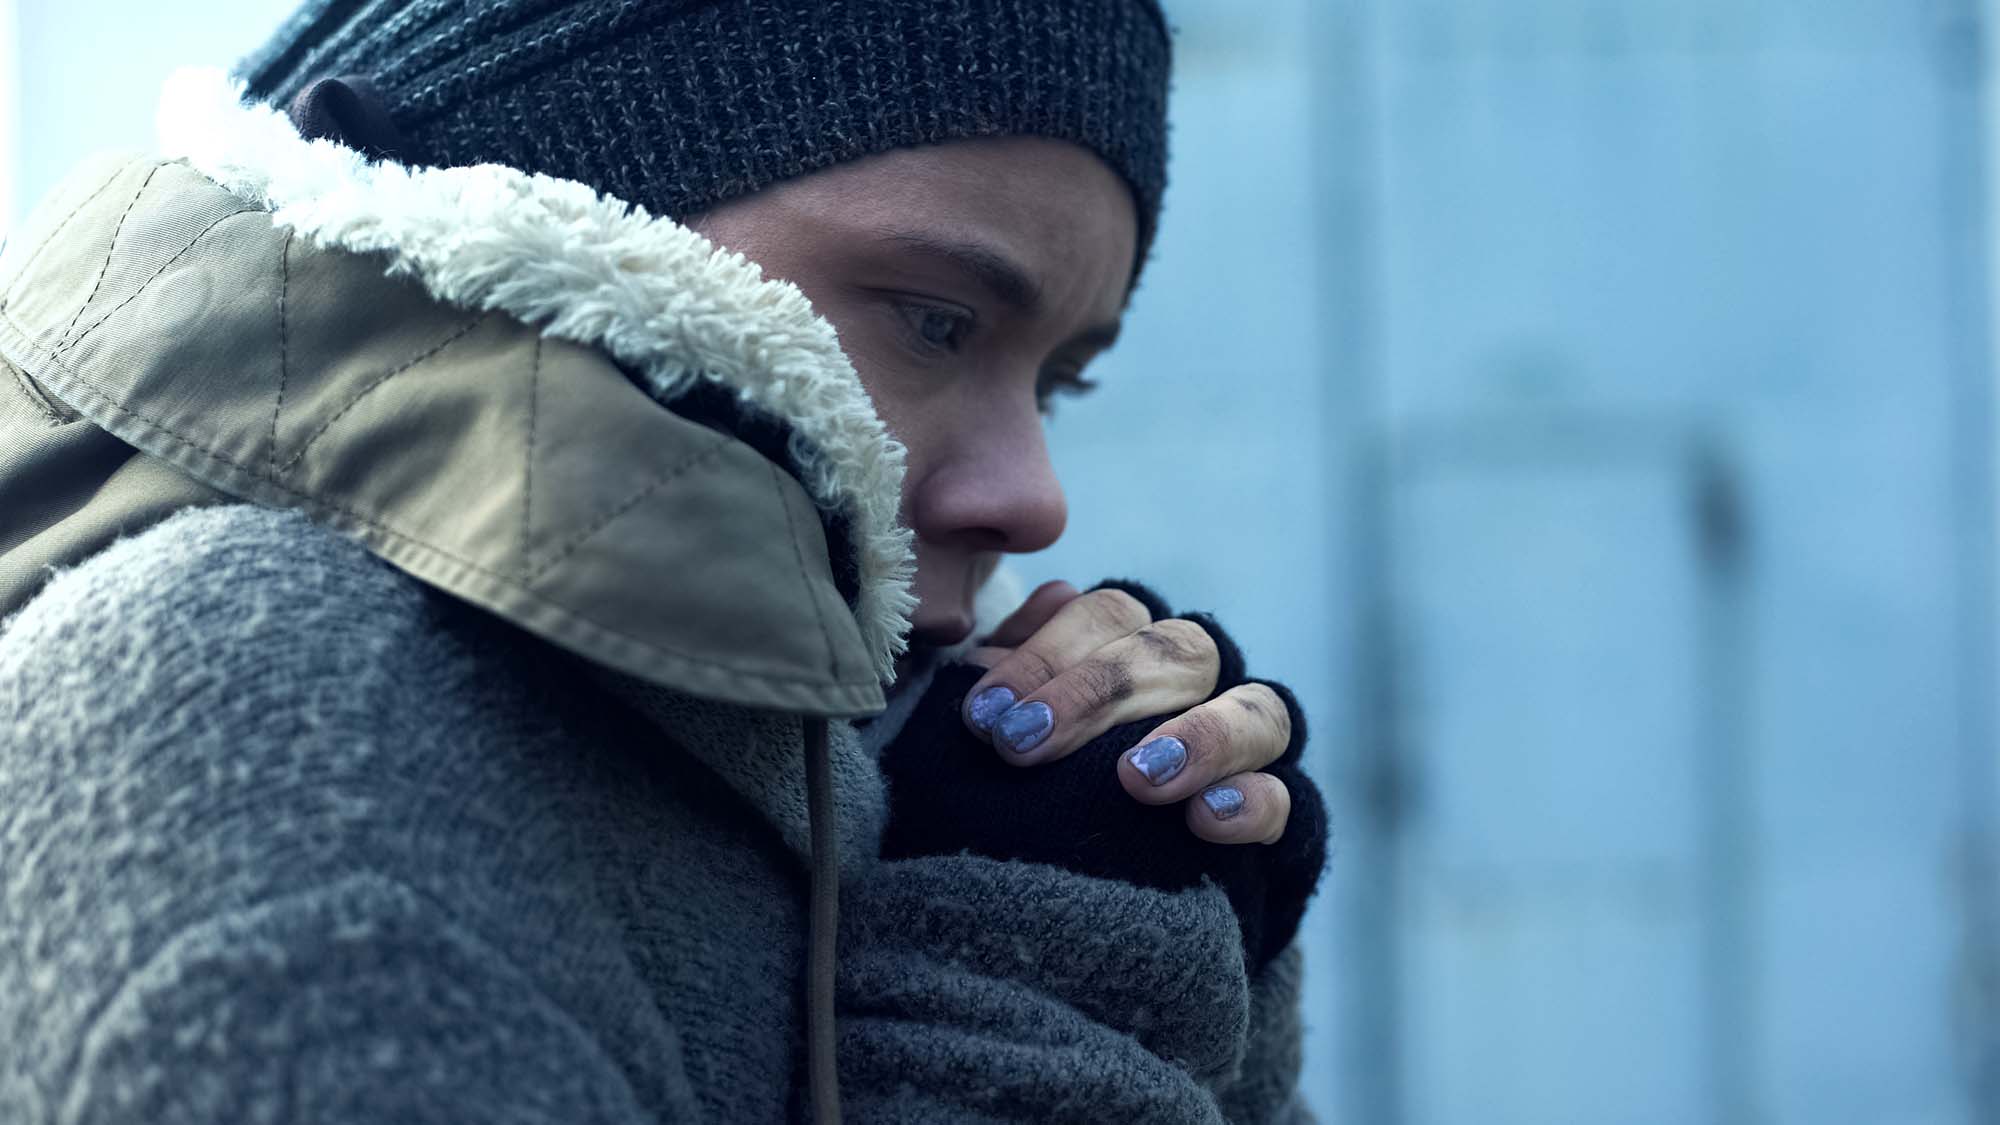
(951, 792)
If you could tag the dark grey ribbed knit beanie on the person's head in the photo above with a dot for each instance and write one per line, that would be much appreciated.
(679, 105)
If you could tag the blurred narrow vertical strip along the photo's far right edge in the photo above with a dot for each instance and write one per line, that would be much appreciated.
(1967, 45)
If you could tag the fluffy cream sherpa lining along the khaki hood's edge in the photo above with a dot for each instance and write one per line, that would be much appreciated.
(589, 269)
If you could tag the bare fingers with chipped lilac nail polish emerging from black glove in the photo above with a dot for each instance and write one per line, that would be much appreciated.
(1071, 666)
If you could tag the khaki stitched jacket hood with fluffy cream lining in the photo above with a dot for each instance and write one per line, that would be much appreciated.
(467, 369)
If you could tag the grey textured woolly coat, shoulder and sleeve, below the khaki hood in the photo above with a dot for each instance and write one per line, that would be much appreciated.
(293, 838)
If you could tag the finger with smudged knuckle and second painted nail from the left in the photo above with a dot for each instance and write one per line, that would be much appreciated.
(1161, 670)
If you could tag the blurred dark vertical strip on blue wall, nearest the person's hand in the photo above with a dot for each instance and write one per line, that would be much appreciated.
(1349, 173)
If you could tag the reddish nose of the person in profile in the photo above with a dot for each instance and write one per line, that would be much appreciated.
(993, 487)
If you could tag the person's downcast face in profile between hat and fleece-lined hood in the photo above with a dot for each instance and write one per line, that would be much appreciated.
(971, 285)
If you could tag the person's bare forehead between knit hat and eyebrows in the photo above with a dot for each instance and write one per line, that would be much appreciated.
(1049, 205)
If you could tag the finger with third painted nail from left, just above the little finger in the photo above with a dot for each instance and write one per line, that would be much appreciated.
(1237, 732)
